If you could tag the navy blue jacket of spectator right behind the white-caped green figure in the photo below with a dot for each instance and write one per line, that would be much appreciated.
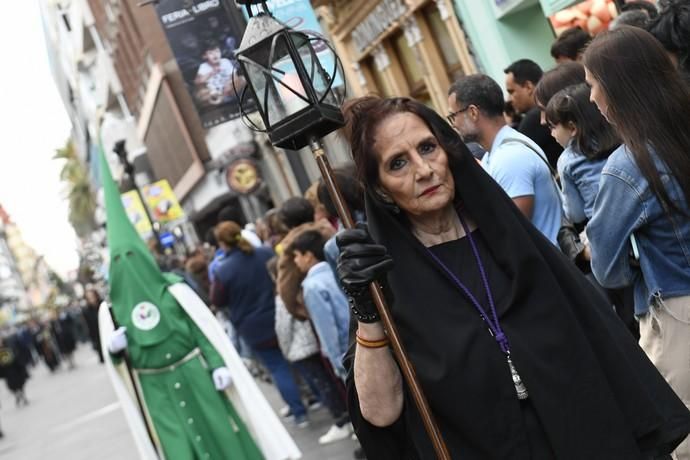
(243, 287)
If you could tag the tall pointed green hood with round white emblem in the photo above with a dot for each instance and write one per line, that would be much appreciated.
(136, 282)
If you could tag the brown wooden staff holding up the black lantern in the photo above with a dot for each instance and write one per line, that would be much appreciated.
(380, 301)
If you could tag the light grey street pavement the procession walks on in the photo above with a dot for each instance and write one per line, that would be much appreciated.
(74, 415)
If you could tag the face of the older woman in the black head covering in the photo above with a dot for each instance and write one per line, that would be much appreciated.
(413, 168)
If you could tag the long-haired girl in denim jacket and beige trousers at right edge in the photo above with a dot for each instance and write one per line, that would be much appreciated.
(644, 195)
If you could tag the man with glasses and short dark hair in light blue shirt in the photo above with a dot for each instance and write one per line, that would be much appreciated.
(514, 161)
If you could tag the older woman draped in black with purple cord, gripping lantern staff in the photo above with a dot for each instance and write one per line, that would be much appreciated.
(516, 352)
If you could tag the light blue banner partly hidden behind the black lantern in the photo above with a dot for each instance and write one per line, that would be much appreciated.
(299, 15)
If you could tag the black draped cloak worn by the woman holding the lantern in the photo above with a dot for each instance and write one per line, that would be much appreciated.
(594, 390)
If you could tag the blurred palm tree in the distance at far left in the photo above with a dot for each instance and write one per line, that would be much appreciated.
(82, 200)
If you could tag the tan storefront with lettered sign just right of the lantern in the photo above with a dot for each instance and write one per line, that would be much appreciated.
(413, 48)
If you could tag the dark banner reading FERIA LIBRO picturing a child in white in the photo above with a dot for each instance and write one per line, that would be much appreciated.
(203, 36)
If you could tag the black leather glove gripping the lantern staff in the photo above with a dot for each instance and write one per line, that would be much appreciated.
(361, 262)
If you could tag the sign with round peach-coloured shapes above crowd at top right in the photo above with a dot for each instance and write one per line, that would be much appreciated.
(592, 16)
